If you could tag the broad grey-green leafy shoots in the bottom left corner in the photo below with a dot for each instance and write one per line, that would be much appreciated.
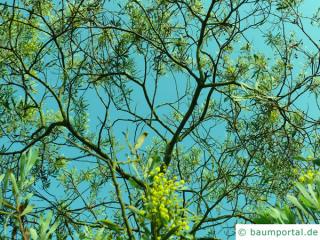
(19, 208)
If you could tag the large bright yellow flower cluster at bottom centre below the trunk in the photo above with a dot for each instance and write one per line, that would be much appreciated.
(161, 203)
